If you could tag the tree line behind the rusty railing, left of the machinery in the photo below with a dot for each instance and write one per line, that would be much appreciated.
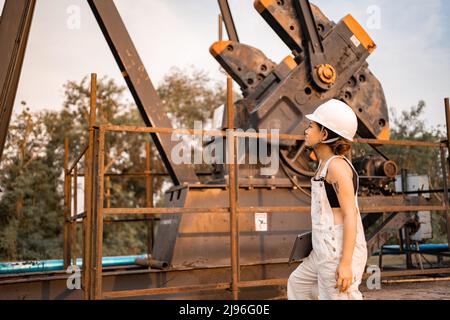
(31, 175)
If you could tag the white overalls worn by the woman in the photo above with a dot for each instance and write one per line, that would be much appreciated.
(315, 277)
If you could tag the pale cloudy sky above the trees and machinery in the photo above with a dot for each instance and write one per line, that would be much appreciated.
(412, 60)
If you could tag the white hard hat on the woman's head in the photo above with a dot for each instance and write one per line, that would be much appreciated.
(336, 116)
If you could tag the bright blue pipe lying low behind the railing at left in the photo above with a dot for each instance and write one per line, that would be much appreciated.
(58, 265)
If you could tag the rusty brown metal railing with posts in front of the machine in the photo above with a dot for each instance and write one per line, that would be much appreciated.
(96, 212)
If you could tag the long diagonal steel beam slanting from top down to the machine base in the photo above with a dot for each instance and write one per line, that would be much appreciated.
(140, 85)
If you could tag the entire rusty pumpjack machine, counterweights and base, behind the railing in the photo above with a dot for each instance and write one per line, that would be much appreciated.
(328, 60)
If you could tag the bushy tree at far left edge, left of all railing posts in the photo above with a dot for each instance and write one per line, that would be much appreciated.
(30, 207)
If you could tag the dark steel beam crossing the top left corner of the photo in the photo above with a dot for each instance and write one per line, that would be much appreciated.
(15, 24)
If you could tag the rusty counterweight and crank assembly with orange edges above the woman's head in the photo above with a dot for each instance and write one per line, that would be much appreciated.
(277, 96)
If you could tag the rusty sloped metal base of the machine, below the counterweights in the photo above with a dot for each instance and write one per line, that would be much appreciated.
(203, 238)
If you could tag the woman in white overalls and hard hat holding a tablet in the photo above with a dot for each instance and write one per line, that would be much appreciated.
(335, 266)
